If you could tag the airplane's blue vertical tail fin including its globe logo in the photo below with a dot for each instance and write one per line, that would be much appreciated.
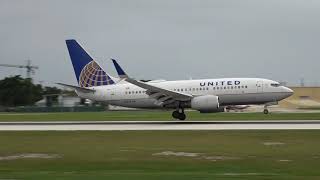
(87, 71)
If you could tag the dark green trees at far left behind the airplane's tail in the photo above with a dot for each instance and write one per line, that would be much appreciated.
(18, 91)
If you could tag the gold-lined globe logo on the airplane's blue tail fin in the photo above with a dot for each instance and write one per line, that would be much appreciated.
(92, 75)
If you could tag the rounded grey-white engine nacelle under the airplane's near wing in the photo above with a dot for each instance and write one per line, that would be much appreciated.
(206, 104)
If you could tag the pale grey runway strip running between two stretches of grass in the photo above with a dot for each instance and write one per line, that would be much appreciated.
(159, 125)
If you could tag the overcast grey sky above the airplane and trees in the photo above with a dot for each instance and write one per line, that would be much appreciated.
(165, 39)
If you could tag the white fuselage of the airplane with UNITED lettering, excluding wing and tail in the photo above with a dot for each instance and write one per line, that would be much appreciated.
(231, 91)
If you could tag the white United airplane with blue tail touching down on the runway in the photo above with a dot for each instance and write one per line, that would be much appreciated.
(203, 95)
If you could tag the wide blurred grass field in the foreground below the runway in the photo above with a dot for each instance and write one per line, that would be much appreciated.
(129, 155)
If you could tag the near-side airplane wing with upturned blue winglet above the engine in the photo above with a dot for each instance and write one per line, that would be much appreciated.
(163, 96)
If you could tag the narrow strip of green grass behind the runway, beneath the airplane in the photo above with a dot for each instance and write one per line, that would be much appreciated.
(151, 115)
